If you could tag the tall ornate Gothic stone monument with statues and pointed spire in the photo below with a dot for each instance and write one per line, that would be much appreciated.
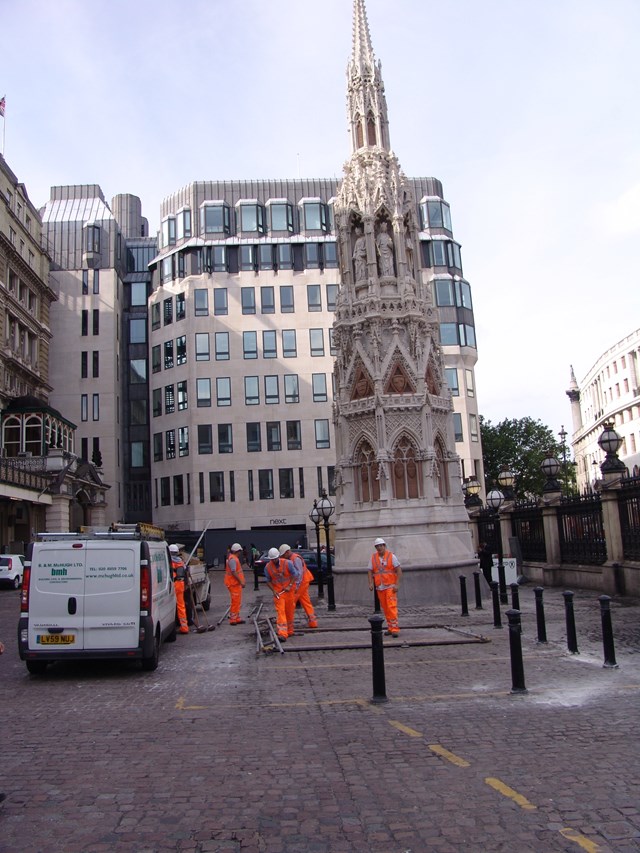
(397, 471)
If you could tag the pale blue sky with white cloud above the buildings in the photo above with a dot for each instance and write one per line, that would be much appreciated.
(526, 111)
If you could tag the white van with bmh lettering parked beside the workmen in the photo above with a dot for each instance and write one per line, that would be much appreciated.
(96, 595)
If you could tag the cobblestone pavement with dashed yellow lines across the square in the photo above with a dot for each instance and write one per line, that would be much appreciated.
(222, 749)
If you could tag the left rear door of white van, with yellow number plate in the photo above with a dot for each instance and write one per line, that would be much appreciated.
(56, 596)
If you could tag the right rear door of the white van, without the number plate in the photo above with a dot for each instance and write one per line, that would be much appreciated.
(112, 595)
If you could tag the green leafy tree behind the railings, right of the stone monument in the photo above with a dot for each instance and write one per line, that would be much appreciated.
(520, 445)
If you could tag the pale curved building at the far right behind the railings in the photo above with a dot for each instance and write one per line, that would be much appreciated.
(609, 393)
